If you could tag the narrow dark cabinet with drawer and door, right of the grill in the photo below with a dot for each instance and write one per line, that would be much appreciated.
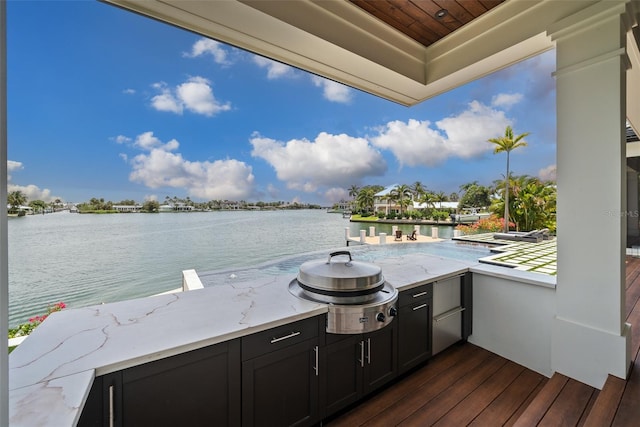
(415, 316)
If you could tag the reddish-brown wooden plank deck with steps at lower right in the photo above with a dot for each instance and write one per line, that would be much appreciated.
(467, 385)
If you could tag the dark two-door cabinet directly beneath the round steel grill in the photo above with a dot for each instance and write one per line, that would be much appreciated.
(354, 365)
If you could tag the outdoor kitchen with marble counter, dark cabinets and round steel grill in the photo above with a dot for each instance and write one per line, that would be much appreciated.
(357, 326)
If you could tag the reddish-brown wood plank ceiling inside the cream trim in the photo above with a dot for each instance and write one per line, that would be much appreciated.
(426, 21)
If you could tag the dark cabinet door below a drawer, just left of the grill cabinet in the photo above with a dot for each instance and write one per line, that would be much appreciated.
(281, 388)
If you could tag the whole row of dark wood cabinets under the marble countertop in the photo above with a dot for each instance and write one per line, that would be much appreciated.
(294, 374)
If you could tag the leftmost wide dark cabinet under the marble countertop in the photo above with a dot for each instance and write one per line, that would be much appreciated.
(199, 387)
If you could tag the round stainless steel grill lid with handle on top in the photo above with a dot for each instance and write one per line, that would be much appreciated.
(340, 276)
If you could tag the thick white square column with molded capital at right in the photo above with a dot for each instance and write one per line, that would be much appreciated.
(590, 339)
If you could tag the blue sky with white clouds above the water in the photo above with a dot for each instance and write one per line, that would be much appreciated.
(106, 103)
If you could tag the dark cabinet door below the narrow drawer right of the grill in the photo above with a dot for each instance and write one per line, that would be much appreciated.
(414, 335)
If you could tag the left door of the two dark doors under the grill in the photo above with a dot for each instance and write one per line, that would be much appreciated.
(341, 372)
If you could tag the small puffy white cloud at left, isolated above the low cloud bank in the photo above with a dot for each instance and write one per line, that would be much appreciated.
(194, 95)
